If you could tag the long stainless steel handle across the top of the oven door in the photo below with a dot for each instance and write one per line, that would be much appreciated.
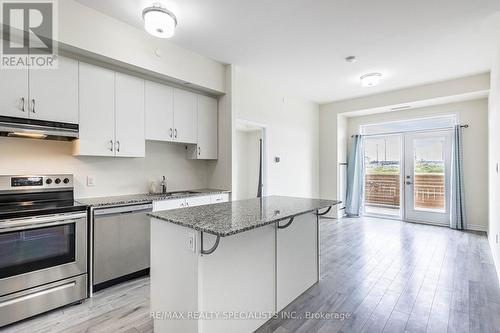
(39, 222)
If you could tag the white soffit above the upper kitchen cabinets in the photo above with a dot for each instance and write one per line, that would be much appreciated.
(92, 31)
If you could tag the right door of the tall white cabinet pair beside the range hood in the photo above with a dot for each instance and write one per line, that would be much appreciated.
(129, 101)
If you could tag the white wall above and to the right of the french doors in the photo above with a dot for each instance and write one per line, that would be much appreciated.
(473, 113)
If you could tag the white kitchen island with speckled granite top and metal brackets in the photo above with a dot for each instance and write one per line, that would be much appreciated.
(229, 267)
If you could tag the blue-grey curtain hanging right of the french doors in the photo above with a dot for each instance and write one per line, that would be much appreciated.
(458, 214)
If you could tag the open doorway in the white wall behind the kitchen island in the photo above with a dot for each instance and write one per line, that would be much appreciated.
(251, 162)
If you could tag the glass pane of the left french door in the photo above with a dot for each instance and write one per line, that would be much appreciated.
(382, 175)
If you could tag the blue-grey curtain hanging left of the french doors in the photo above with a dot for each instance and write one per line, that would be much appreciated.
(355, 178)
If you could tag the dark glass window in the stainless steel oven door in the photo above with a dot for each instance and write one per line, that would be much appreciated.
(34, 249)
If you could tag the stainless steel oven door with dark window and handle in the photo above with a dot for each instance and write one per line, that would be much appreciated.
(40, 250)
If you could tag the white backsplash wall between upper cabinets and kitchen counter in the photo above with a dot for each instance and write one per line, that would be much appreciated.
(114, 176)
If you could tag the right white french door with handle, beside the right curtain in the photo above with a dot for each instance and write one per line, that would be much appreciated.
(427, 177)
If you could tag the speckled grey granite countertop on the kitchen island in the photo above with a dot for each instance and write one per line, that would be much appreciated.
(229, 218)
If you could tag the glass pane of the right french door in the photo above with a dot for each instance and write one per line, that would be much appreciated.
(429, 178)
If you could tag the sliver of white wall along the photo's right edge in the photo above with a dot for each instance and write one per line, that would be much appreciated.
(494, 159)
